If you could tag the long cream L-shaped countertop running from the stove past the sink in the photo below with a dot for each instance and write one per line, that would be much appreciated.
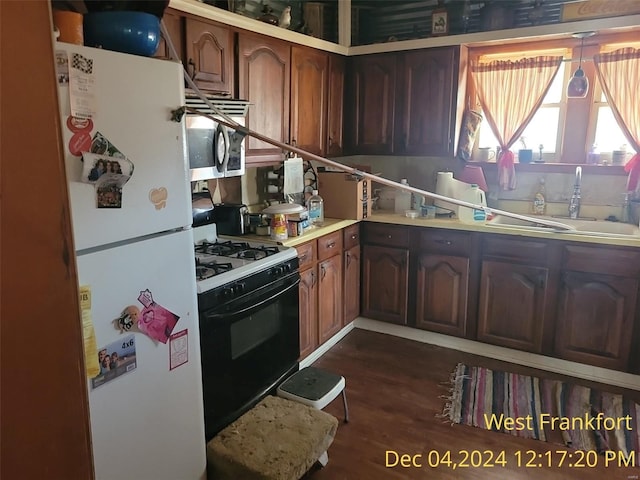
(332, 224)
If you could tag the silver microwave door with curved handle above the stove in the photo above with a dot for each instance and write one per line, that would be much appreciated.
(208, 148)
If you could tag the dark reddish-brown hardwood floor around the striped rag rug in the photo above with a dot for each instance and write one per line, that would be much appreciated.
(393, 390)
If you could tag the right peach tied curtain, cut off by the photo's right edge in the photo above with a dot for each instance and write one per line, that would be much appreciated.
(619, 75)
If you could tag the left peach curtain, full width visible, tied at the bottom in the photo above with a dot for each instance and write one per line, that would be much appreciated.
(510, 93)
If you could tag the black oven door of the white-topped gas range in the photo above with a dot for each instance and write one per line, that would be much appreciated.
(248, 346)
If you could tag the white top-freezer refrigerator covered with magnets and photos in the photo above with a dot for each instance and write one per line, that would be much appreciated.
(130, 198)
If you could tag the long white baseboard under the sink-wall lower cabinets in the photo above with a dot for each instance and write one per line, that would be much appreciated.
(564, 367)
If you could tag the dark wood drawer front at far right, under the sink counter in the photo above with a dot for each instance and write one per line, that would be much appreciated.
(612, 261)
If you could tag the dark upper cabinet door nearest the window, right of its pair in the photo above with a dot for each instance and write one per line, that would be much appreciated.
(425, 114)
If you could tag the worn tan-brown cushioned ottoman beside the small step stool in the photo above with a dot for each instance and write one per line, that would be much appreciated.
(278, 439)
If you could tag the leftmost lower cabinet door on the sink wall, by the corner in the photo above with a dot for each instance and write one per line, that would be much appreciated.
(385, 276)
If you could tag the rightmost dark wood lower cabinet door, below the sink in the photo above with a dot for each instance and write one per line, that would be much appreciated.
(595, 319)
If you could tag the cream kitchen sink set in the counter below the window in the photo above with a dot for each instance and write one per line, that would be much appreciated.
(580, 226)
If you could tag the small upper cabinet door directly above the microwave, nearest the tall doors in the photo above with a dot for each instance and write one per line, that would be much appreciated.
(210, 55)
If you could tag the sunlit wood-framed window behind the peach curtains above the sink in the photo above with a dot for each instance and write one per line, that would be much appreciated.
(564, 130)
